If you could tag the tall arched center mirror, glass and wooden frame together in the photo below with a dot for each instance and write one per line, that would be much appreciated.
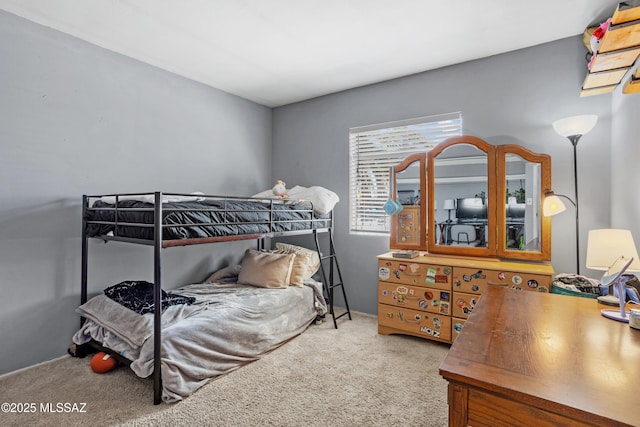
(460, 184)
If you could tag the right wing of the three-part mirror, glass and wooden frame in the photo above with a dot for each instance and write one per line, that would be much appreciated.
(523, 232)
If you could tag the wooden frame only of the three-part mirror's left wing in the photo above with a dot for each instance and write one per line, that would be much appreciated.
(422, 210)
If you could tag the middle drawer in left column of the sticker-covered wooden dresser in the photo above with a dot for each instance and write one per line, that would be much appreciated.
(415, 297)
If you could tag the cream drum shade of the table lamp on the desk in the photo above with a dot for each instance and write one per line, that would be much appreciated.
(606, 246)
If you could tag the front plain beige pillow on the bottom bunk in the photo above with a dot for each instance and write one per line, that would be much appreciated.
(266, 269)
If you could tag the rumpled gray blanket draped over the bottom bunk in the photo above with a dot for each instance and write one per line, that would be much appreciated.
(228, 326)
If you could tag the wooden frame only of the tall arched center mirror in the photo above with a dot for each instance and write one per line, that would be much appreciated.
(489, 150)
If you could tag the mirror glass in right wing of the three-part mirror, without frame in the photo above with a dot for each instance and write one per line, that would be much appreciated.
(522, 205)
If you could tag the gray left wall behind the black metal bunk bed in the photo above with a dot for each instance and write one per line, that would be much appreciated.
(78, 119)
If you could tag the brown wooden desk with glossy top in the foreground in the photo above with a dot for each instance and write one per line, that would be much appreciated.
(534, 359)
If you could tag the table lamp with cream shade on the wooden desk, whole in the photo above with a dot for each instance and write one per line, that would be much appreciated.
(614, 251)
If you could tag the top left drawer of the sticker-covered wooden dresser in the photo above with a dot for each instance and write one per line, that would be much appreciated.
(407, 272)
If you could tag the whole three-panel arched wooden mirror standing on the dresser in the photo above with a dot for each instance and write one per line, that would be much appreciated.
(481, 200)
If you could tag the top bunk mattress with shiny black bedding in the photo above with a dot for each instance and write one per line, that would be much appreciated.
(209, 216)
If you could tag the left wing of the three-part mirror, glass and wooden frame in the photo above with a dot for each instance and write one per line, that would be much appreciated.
(409, 180)
